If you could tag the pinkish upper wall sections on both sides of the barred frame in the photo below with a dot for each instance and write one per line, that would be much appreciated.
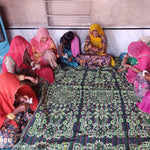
(109, 13)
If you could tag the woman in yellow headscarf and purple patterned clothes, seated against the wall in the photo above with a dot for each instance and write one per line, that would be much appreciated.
(95, 49)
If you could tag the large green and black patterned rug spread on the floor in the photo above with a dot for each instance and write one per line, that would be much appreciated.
(88, 109)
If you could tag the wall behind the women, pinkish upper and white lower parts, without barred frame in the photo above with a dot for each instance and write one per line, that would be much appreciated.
(123, 21)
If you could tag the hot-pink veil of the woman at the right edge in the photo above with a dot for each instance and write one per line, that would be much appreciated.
(141, 52)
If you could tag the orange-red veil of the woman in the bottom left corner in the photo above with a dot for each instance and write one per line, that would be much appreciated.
(10, 86)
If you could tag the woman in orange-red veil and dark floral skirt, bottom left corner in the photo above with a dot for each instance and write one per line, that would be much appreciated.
(17, 104)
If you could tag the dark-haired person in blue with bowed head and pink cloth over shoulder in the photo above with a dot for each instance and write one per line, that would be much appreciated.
(69, 47)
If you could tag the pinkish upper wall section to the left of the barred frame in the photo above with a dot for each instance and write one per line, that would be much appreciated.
(23, 13)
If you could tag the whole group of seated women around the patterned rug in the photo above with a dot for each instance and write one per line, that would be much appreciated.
(36, 60)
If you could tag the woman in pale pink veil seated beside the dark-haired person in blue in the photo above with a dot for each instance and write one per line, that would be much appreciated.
(44, 49)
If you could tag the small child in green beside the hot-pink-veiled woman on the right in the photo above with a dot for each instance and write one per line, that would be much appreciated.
(127, 60)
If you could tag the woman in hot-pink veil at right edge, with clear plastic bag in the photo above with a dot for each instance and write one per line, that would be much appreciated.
(137, 76)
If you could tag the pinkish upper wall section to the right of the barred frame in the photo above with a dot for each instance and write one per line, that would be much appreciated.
(121, 13)
